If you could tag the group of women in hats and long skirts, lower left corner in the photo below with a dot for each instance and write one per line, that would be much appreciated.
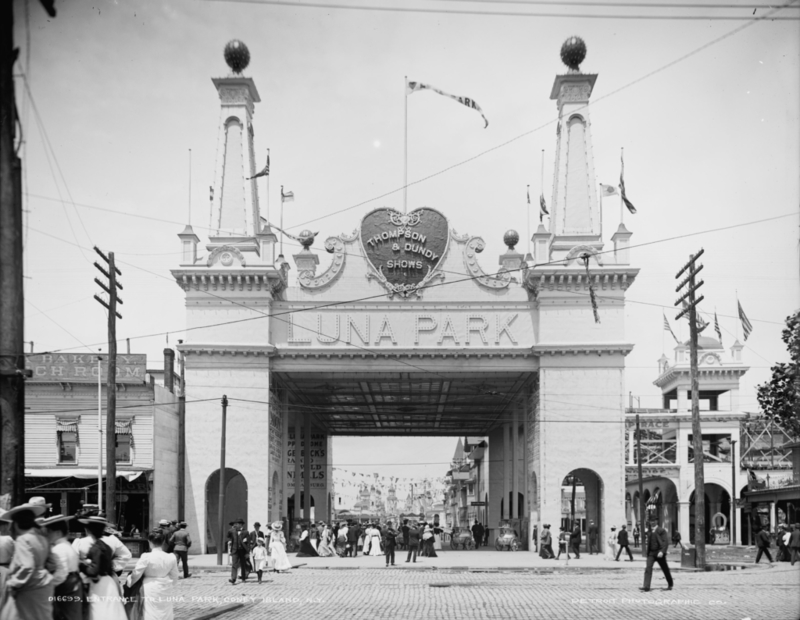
(43, 576)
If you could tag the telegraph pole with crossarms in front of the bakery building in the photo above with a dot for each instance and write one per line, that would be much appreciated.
(111, 379)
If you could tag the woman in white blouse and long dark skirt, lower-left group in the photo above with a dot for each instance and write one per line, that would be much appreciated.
(69, 593)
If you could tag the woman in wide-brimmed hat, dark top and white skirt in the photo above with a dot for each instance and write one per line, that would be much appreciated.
(105, 597)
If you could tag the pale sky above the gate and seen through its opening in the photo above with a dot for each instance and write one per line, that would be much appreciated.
(114, 95)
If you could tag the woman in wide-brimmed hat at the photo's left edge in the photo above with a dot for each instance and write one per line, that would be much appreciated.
(29, 585)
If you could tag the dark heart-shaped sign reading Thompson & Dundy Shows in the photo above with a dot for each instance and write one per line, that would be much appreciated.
(405, 250)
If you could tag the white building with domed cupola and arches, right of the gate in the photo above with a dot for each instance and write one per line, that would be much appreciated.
(741, 450)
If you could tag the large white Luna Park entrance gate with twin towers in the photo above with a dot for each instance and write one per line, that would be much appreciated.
(516, 356)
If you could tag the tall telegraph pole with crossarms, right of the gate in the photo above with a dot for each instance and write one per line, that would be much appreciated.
(690, 308)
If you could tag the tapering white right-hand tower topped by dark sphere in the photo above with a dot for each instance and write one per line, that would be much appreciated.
(575, 217)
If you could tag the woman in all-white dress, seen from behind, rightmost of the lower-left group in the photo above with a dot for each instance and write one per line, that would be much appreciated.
(159, 572)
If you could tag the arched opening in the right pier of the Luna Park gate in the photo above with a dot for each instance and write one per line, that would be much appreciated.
(581, 501)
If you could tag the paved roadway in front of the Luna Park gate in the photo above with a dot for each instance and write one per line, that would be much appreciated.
(363, 589)
